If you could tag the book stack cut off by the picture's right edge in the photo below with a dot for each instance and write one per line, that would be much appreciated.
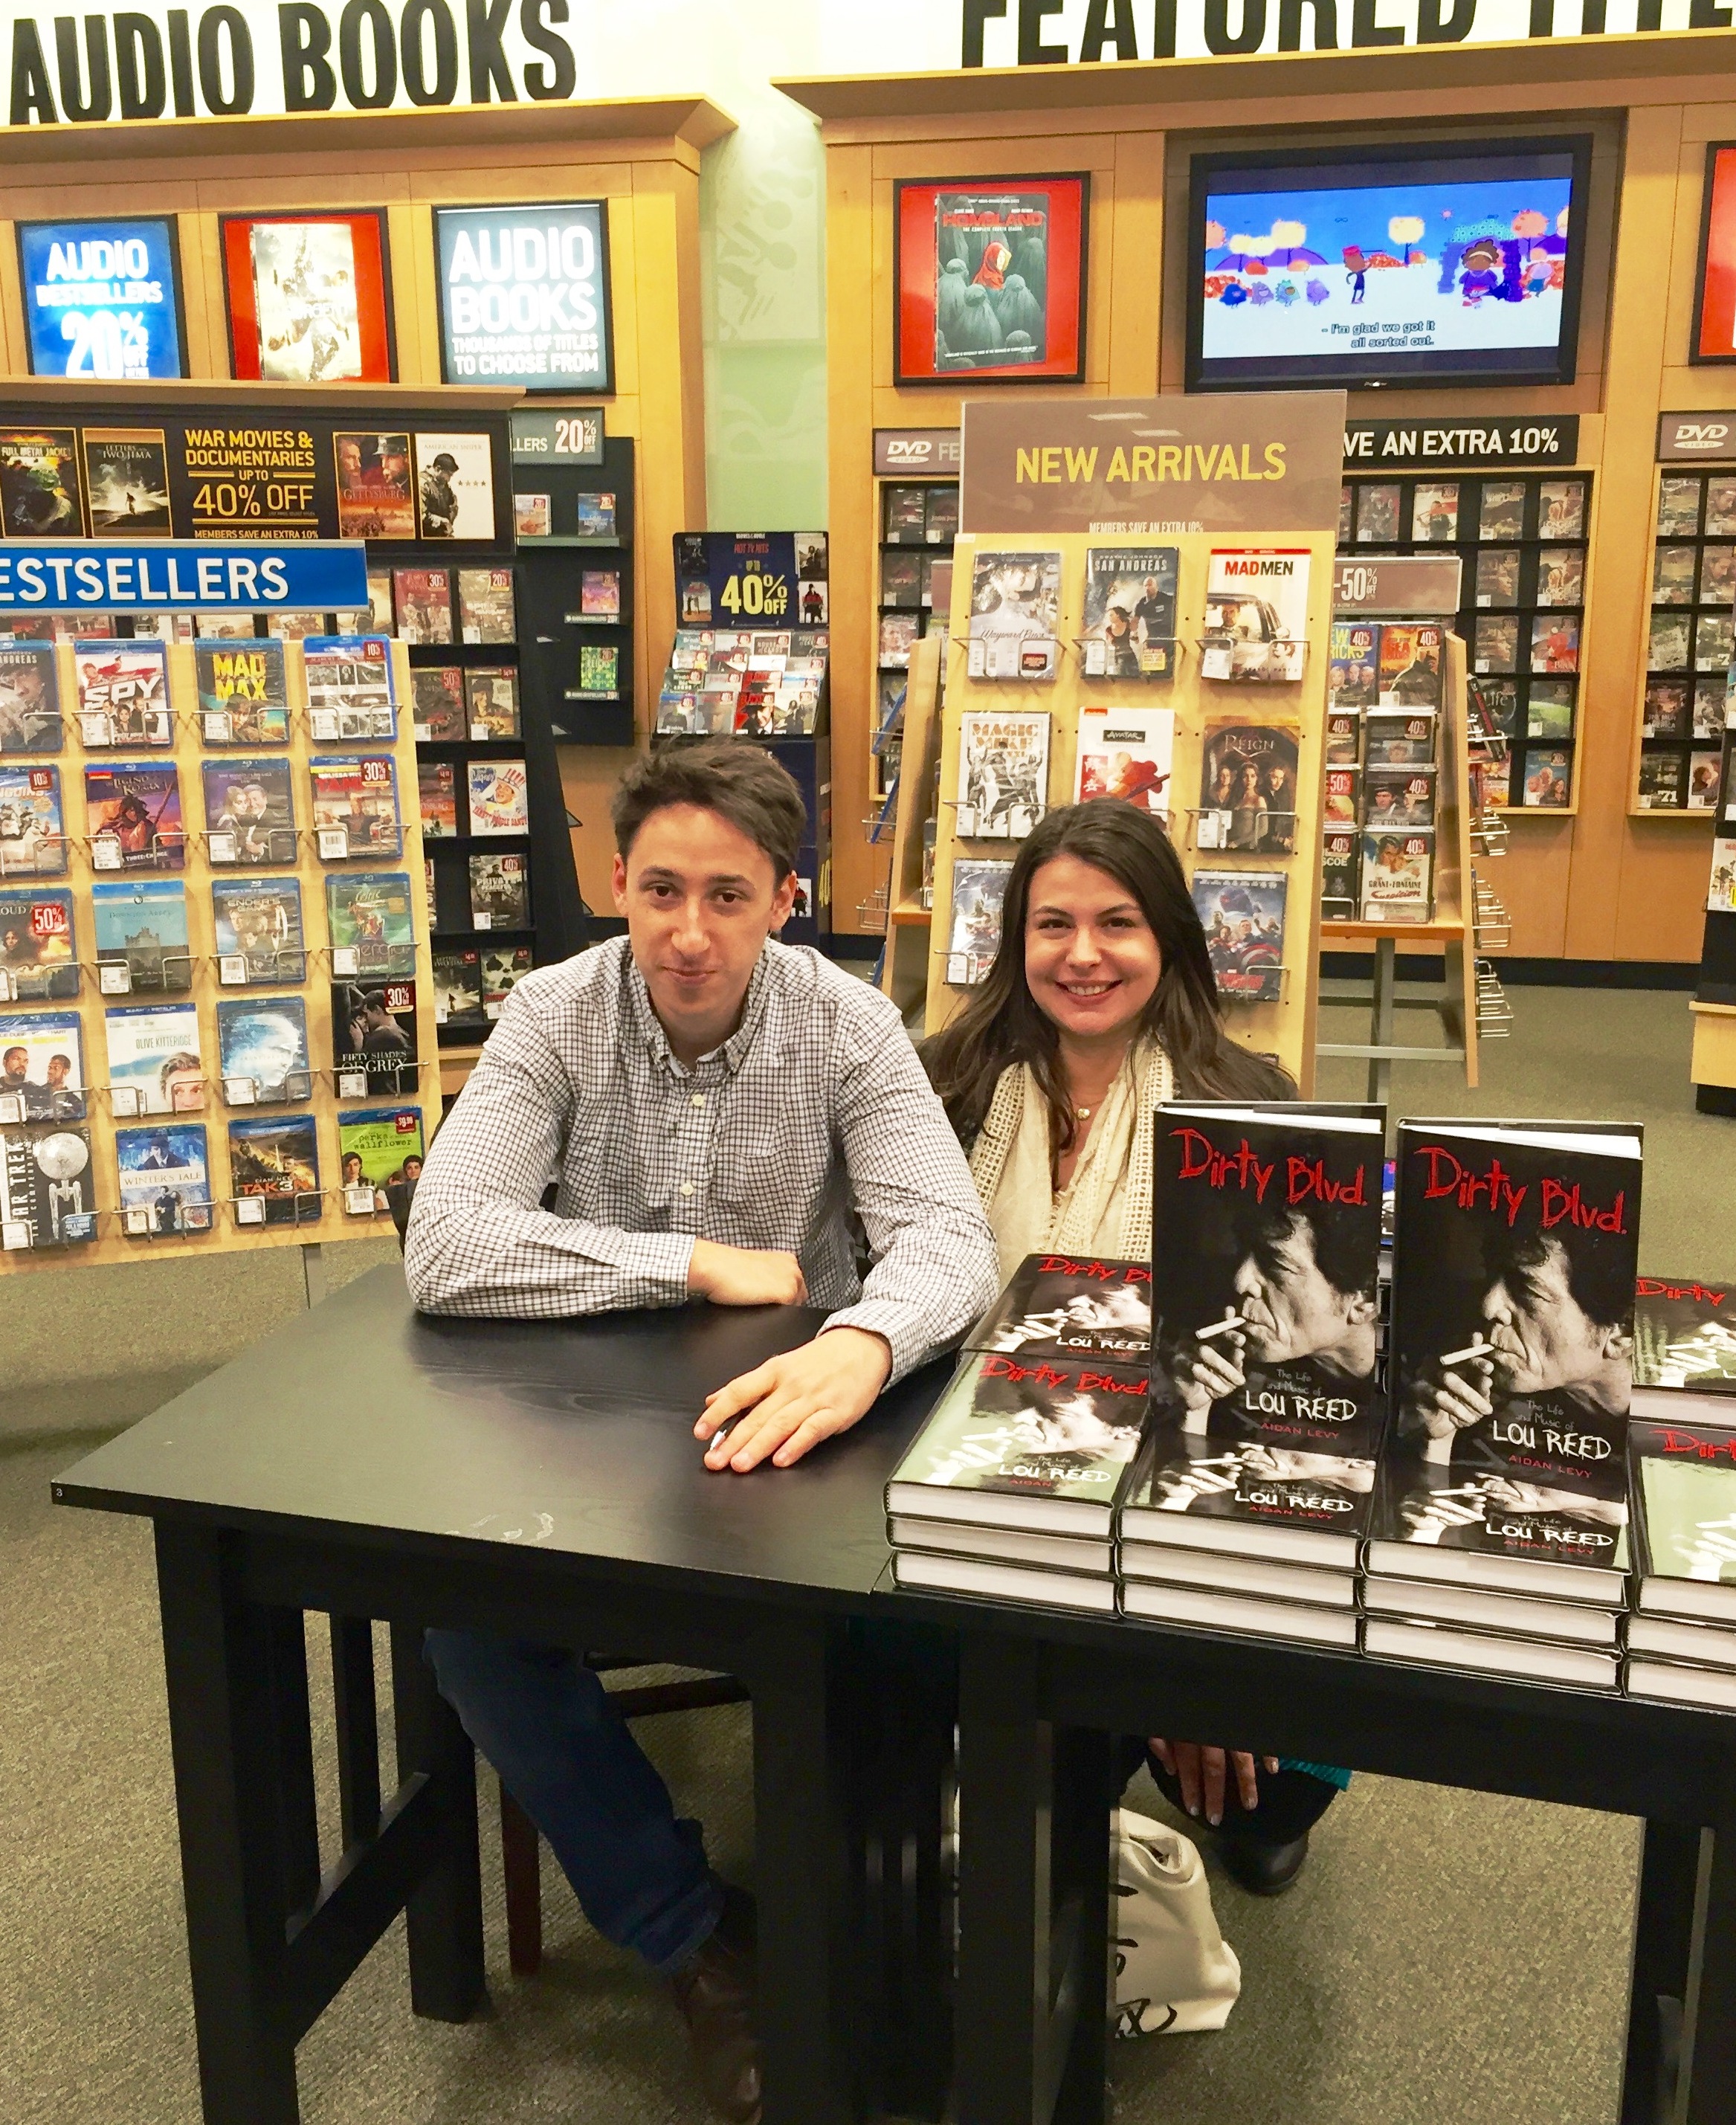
(1682, 1639)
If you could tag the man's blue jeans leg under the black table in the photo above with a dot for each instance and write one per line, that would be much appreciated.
(566, 1756)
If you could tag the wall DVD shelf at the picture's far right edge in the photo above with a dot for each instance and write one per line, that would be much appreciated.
(1690, 645)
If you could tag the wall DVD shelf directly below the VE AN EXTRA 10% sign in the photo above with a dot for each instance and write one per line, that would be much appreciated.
(1522, 539)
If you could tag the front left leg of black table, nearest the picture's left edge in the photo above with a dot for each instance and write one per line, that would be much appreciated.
(224, 1724)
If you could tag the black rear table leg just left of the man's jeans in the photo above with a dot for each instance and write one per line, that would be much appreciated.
(445, 1909)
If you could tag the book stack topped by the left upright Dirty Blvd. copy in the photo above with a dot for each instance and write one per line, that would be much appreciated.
(1250, 1501)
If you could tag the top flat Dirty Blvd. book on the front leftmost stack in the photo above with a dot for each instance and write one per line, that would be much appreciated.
(1017, 1444)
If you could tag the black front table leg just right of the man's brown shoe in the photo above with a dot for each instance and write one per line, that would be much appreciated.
(809, 1958)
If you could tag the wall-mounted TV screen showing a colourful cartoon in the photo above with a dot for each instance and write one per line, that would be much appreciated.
(1363, 267)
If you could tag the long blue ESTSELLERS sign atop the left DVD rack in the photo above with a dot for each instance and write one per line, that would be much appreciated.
(184, 577)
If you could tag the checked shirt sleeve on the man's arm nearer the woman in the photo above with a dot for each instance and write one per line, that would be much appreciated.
(936, 1272)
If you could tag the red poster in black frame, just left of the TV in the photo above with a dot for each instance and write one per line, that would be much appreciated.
(991, 279)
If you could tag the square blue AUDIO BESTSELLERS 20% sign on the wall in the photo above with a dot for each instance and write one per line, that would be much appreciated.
(103, 299)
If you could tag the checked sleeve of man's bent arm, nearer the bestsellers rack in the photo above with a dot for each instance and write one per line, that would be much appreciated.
(479, 1240)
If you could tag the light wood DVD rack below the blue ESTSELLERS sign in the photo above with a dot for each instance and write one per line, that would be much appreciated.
(216, 1008)
